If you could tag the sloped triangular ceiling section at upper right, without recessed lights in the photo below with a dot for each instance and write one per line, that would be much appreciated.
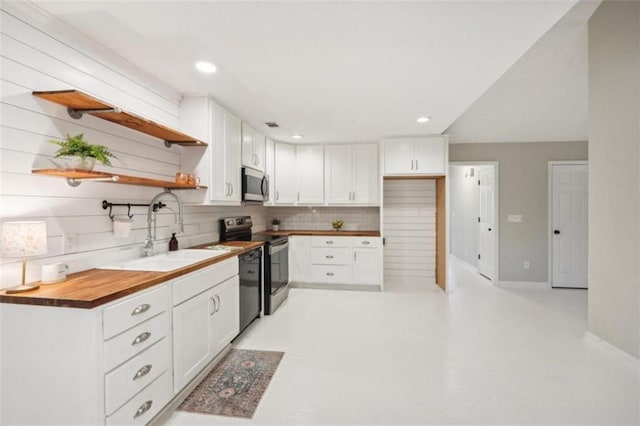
(543, 97)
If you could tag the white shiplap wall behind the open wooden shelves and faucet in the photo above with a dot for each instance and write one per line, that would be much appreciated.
(37, 53)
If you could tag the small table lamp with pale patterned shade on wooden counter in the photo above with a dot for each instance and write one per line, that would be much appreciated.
(22, 239)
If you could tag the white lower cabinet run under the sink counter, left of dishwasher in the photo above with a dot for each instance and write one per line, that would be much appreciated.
(115, 364)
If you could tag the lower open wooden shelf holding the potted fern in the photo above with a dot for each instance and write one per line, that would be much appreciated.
(75, 175)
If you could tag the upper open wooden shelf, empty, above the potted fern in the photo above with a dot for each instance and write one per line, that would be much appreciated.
(79, 103)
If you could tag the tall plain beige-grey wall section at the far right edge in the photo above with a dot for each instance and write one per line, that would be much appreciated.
(614, 175)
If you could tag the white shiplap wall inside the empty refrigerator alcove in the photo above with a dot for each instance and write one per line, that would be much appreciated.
(409, 222)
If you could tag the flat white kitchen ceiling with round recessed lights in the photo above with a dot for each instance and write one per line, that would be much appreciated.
(332, 71)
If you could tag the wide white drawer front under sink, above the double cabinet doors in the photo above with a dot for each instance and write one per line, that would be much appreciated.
(190, 285)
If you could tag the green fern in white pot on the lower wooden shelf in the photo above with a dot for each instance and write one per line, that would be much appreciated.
(80, 154)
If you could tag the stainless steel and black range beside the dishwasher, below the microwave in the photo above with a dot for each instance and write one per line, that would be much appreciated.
(275, 283)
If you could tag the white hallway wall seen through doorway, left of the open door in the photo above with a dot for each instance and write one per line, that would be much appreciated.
(464, 213)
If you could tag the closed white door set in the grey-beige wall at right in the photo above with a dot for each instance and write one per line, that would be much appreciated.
(569, 225)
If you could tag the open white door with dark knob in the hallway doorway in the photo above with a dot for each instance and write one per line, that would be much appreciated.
(486, 222)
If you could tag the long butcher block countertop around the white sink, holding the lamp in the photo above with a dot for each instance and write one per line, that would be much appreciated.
(95, 287)
